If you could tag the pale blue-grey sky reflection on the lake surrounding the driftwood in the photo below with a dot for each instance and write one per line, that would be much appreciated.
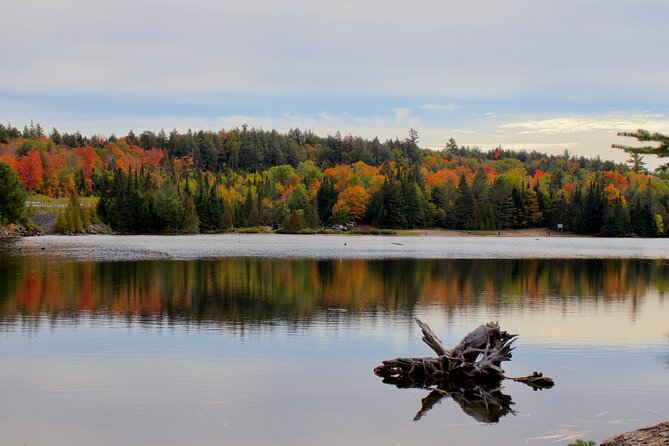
(114, 382)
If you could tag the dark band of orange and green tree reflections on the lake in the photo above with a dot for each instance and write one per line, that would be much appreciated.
(256, 290)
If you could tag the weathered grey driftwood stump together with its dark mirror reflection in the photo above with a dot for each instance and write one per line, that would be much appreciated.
(470, 373)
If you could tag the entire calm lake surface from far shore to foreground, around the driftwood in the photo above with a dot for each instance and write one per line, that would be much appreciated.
(271, 340)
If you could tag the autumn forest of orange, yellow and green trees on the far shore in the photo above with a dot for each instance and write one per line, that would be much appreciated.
(215, 181)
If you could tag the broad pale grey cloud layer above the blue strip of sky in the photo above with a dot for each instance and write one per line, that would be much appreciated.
(442, 52)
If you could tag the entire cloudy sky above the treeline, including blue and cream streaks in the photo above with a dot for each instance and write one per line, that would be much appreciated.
(546, 76)
